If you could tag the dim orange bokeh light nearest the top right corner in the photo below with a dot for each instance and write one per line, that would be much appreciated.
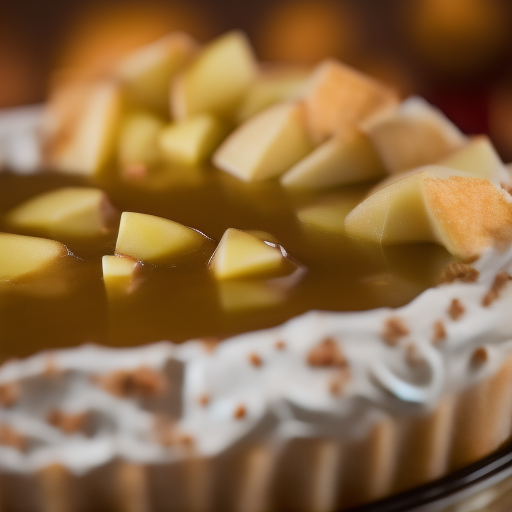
(458, 36)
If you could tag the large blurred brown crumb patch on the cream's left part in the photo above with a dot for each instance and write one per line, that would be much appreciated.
(142, 381)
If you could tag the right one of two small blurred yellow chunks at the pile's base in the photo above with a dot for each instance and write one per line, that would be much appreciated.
(191, 141)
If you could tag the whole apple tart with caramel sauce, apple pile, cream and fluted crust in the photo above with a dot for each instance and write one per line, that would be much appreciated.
(297, 298)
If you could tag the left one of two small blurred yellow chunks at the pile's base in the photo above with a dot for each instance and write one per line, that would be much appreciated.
(138, 139)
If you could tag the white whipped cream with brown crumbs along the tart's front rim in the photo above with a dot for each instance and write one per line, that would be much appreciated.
(259, 386)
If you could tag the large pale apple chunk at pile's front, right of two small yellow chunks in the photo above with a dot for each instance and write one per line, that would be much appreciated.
(267, 145)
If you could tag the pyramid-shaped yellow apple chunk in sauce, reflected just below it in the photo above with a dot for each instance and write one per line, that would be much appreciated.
(240, 254)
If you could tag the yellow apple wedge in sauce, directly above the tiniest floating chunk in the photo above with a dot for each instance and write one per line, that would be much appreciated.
(156, 240)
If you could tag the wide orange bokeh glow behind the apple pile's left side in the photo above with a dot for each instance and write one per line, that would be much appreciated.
(103, 33)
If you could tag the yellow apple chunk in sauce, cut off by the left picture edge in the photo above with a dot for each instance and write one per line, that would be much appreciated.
(24, 256)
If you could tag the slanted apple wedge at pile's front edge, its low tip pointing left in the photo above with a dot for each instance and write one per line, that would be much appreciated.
(341, 160)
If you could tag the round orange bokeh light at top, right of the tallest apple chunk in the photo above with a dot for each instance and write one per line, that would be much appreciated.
(304, 31)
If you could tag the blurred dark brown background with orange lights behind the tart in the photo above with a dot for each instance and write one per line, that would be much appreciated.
(456, 53)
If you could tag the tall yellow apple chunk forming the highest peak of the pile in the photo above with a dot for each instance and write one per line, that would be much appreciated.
(216, 80)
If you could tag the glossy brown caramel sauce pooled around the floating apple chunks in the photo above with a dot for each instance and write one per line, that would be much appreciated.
(70, 306)
